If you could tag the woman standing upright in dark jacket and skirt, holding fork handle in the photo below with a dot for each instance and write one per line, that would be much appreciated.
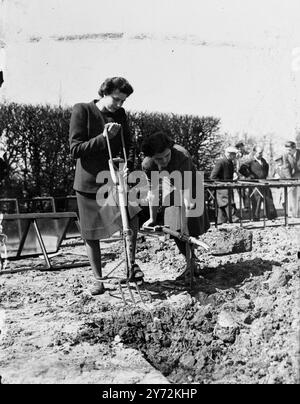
(91, 123)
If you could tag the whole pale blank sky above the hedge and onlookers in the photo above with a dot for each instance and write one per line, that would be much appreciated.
(235, 59)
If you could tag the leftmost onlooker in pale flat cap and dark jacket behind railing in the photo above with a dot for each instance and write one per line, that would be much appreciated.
(223, 171)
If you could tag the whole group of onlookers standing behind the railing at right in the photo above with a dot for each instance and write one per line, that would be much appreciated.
(238, 163)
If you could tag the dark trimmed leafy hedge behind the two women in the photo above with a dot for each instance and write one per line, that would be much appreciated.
(38, 147)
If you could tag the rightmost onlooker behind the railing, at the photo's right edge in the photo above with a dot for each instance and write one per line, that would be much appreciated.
(291, 168)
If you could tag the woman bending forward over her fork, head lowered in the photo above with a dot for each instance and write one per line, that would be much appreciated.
(163, 155)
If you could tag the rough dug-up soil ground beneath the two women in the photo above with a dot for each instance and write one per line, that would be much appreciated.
(239, 323)
